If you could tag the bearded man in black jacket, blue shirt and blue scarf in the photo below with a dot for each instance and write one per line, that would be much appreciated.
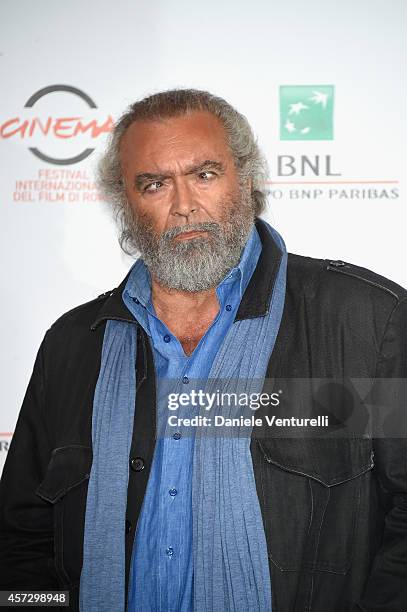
(102, 497)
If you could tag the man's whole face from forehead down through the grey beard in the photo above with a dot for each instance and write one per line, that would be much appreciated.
(191, 214)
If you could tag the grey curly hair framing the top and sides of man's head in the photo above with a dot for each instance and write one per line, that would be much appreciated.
(249, 160)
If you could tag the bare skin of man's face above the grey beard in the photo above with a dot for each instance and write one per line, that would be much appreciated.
(178, 170)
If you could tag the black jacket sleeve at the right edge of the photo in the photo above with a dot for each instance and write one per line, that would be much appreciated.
(386, 589)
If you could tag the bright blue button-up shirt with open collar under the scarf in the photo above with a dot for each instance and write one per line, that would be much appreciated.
(161, 574)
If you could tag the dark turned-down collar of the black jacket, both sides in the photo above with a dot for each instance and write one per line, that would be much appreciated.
(255, 301)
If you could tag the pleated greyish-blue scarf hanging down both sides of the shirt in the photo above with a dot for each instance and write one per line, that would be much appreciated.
(231, 571)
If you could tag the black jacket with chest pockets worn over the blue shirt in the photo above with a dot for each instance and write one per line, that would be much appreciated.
(335, 513)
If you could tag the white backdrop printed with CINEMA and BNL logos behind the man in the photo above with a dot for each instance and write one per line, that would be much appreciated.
(321, 82)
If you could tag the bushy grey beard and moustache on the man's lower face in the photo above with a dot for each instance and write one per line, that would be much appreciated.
(201, 263)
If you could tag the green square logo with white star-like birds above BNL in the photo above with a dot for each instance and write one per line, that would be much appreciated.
(306, 112)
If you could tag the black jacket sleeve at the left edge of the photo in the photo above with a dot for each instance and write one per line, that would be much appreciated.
(26, 521)
